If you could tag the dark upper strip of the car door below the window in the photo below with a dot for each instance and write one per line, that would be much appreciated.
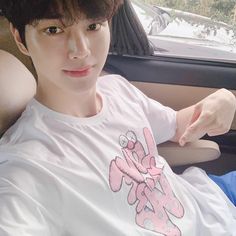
(178, 71)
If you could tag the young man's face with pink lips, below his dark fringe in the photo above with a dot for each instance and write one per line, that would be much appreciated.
(68, 58)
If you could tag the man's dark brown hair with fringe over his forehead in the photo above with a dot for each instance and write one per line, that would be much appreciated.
(23, 12)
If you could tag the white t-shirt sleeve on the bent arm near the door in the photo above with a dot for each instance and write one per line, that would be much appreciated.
(162, 119)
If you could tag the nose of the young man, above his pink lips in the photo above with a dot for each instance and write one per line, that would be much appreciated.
(78, 46)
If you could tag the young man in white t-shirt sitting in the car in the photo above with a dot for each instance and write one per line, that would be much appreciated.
(82, 158)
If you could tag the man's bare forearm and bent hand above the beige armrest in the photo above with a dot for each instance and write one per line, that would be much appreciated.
(213, 116)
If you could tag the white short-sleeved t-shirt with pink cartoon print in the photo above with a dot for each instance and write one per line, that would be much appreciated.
(67, 176)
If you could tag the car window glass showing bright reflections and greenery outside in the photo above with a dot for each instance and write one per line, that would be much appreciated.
(187, 28)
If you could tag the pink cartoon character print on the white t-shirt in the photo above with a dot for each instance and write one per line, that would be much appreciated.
(150, 188)
